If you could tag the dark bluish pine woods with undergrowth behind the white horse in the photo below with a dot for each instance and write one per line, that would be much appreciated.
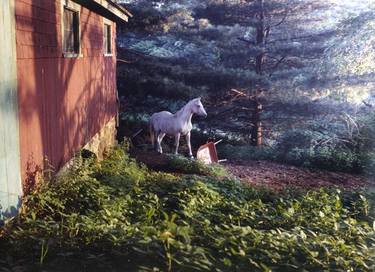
(293, 77)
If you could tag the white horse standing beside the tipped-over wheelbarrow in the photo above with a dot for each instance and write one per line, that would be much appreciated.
(164, 122)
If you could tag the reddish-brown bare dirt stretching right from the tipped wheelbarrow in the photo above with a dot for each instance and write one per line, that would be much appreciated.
(278, 176)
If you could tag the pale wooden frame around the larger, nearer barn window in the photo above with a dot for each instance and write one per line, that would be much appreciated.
(76, 8)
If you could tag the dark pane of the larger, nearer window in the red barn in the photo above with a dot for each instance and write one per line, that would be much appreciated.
(71, 41)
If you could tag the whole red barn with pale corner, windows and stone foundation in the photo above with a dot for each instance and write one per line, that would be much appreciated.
(57, 86)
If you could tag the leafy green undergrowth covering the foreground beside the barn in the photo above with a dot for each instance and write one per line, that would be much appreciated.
(118, 216)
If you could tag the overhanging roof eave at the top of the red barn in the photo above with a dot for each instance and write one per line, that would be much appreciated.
(107, 8)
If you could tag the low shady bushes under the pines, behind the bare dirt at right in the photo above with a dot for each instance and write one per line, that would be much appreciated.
(350, 150)
